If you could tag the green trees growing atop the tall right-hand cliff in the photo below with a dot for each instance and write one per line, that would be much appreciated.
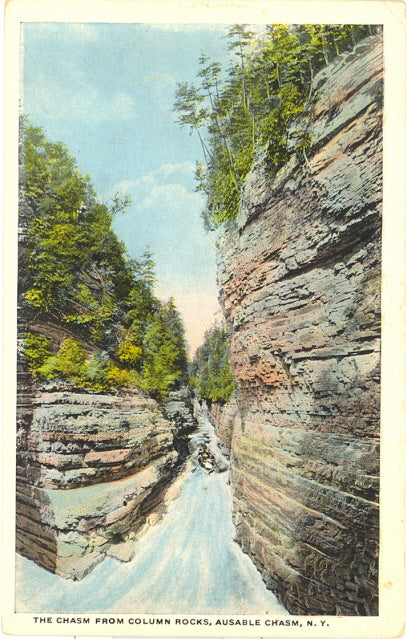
(254, 102)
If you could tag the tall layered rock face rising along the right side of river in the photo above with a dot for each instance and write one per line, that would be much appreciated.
(299, 275)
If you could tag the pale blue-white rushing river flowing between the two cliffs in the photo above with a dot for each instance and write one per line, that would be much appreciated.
(187, 563)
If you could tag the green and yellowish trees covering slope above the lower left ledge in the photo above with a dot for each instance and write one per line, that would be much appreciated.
(78, 274)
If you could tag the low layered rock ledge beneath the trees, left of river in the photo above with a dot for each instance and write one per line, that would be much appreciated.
(90, 468)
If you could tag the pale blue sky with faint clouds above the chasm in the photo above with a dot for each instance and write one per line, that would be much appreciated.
(106, 91)
